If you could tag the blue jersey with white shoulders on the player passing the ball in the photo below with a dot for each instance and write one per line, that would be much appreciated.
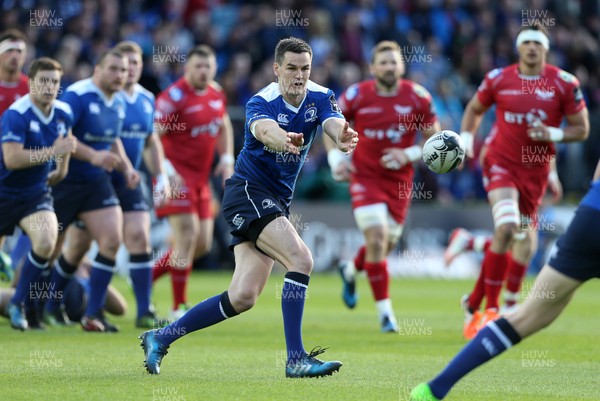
(274, 170)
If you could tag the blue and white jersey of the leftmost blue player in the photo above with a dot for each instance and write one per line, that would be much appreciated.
(24, 123)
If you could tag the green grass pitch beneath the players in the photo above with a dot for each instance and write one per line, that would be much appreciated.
(243, 359)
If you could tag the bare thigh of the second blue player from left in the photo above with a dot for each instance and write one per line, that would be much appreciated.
(104, 225)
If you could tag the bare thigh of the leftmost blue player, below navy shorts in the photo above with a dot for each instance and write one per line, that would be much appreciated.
(42, 229)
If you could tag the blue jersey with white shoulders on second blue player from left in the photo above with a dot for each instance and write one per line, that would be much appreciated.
(97, 123)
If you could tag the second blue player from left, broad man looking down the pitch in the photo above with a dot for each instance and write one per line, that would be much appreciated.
(87, 193)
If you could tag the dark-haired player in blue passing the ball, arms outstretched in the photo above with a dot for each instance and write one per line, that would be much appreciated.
(281, 123)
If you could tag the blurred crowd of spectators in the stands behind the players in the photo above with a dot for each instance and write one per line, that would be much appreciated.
(448, 47)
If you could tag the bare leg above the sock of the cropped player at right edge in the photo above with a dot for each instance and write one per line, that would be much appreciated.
(550, 294)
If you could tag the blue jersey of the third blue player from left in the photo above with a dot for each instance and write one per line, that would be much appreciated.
(138, 125)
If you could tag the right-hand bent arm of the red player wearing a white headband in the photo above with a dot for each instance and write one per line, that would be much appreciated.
(577, 129)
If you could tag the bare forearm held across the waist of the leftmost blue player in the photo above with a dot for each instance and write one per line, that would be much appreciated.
(16, 157)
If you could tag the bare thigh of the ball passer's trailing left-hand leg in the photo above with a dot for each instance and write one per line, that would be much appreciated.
(251, 273)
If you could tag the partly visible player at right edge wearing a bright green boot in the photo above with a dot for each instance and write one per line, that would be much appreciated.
(574, 260)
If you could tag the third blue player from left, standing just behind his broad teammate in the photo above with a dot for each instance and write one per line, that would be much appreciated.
(139, 142)
